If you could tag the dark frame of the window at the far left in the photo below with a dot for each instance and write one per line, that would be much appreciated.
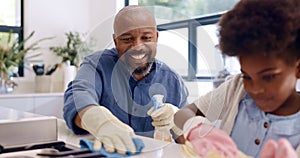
(18, 30)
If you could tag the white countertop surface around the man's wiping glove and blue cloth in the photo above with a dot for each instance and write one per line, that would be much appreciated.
(153, 148)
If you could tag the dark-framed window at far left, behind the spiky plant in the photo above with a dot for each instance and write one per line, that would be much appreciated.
(11, 20)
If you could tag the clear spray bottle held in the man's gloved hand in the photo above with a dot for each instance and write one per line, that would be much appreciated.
(160, 134)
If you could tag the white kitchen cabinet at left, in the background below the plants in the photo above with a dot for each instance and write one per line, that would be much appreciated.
(48, 104)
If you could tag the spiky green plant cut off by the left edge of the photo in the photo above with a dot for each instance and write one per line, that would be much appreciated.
(12, 55)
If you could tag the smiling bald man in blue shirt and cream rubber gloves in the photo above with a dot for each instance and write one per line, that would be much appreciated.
(112, 92)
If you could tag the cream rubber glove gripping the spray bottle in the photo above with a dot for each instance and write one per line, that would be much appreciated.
(164, 118)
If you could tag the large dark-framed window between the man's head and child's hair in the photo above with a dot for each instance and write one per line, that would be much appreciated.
(188, 31)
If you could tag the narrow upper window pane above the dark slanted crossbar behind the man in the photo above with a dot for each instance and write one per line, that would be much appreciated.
(175, 10)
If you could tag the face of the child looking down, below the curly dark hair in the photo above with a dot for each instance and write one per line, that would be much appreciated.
(271, 82)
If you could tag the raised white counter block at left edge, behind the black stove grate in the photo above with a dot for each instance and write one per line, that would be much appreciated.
(18, 128)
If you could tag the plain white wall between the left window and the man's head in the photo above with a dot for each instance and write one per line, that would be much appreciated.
(53, 18)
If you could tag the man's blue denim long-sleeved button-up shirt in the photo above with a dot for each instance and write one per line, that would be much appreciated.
(104, 80)
